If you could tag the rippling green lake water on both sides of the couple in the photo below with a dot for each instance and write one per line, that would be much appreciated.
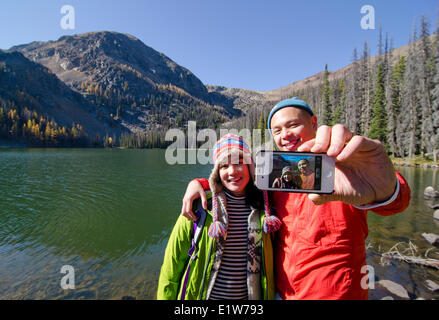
(108, 214)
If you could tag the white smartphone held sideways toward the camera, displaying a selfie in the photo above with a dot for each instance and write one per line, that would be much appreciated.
(294, 172)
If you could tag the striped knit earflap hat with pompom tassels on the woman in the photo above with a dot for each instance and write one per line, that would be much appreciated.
(234, 146)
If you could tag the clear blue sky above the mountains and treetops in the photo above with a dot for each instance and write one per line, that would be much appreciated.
(253, 44)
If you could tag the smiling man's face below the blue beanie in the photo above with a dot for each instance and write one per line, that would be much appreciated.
(291, 127)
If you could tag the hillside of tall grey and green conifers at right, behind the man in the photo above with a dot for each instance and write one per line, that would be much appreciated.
(393, 96)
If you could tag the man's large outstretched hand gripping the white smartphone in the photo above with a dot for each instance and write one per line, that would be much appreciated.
(363, 171)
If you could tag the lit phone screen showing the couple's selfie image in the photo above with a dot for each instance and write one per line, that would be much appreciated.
(296, 172)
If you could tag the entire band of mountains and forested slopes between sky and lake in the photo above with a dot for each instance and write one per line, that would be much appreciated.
(107, 88)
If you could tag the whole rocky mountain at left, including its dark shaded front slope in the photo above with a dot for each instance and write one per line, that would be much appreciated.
(129, 92)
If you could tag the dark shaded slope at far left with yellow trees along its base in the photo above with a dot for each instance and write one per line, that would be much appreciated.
(37, 109)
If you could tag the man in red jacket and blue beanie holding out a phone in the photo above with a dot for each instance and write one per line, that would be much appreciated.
(320, 250)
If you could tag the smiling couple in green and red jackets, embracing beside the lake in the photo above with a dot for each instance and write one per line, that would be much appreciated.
(314, 245)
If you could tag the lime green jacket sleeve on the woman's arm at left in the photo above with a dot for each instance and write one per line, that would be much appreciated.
(175, 260)
